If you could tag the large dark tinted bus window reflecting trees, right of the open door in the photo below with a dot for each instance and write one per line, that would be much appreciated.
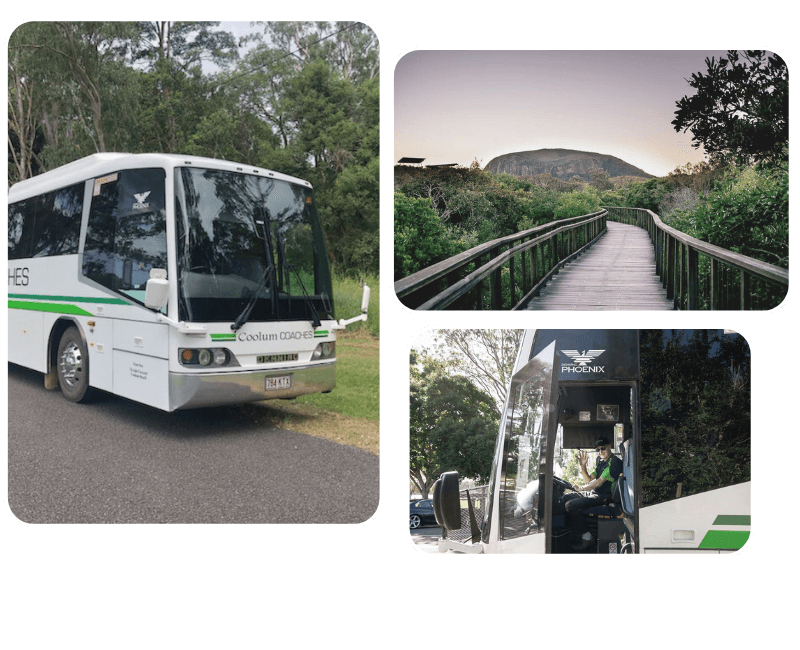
(695, 412)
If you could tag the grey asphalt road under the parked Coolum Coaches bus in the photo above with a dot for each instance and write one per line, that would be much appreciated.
(118, 462)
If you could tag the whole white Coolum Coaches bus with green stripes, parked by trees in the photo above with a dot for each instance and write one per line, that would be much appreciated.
(175, 281)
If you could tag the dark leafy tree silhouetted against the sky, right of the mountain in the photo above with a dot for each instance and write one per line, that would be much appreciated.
(740, 112)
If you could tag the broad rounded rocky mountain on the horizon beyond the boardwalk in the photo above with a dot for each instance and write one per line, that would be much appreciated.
(561, 163)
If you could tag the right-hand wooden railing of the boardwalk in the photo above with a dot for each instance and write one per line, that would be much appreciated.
(698, 275)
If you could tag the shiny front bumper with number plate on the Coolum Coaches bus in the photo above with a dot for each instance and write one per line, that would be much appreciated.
(214, 389)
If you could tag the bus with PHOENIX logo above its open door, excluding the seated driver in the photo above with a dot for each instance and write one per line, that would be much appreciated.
(674, 406)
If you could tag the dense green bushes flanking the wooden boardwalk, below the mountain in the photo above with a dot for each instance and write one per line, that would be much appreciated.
(443, 211)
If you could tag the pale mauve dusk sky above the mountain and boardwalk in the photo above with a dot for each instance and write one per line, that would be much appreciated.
(455, 106)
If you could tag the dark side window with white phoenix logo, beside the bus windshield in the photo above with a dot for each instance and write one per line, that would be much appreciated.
(126, 232)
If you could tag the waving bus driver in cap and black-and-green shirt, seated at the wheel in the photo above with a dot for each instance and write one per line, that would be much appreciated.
(597, 491)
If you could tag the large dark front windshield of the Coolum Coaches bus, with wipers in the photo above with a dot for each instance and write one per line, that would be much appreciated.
(248, 242)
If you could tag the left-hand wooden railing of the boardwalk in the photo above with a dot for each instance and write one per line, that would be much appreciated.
(516, 265)
